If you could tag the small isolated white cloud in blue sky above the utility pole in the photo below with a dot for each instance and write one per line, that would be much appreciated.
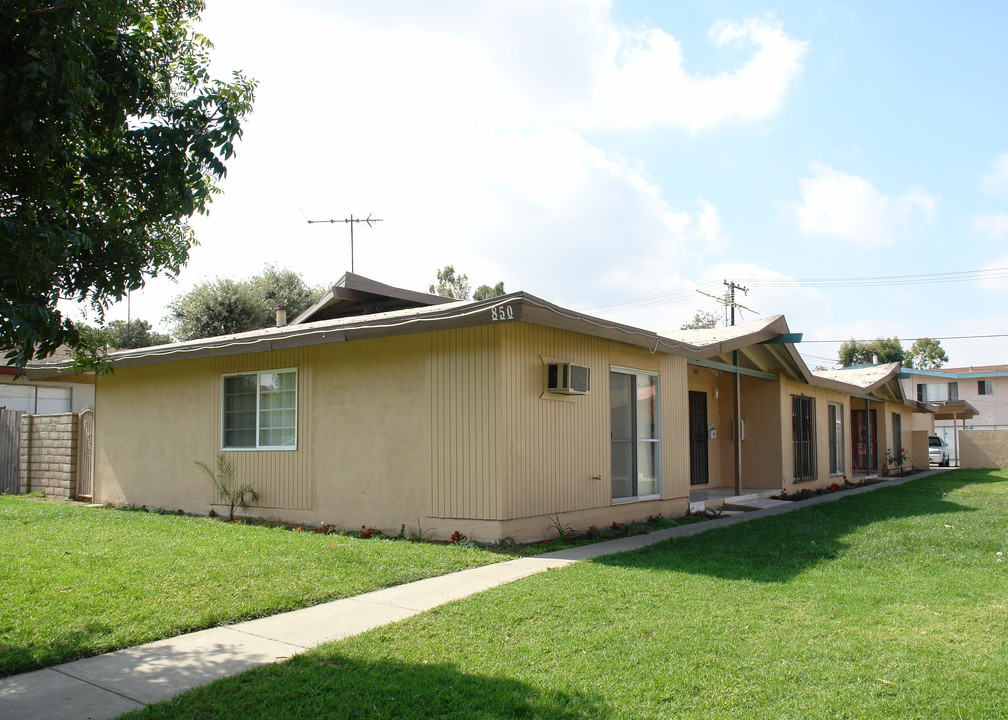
(852, 209)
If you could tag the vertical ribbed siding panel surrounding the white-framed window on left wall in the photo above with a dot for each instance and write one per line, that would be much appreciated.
(283, 477)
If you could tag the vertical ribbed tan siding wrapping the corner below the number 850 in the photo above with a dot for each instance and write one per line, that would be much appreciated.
(503, 449)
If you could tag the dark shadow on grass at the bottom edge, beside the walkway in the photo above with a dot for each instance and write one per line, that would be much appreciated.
(331, 685)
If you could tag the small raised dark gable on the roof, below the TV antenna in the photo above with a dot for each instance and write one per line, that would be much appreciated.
(355, 295)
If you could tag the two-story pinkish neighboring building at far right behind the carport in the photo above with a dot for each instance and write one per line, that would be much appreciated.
(984, 388)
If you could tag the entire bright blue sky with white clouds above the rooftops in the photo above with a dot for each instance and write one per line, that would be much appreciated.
(847, 163)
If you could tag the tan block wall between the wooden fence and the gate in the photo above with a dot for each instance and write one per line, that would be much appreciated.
(49, 454)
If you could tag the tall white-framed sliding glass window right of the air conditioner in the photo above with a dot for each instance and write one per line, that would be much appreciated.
(636, 433)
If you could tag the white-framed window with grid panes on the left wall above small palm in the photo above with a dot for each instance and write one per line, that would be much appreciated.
(261, 411)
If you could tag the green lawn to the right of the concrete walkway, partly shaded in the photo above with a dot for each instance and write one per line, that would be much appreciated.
(889, 605)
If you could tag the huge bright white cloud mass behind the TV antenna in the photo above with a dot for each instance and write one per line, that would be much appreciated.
(461, 125)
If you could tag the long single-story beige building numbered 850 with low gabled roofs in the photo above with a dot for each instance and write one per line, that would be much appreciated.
(382, 407)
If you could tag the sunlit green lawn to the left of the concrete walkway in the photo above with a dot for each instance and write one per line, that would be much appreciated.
(77, 581)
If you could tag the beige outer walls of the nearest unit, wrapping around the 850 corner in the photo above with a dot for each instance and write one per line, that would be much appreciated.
(450, 430)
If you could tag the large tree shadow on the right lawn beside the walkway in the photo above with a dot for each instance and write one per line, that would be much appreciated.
(778, 548)
